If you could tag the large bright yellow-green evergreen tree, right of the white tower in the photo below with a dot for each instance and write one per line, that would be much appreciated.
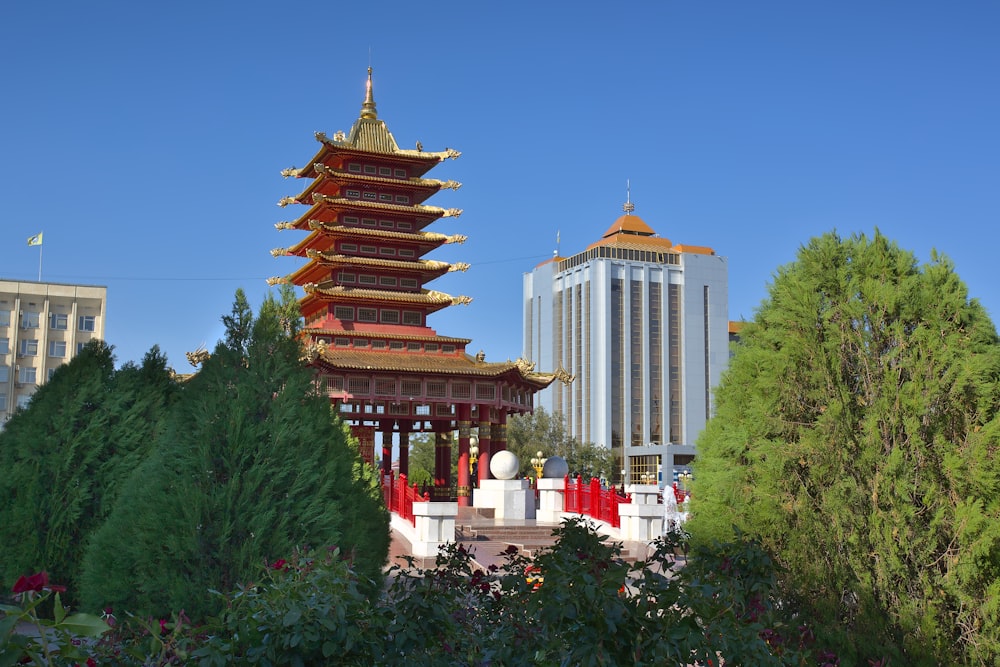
(855, 435)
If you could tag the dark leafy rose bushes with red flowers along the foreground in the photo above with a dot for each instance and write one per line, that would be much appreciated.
(595, 608)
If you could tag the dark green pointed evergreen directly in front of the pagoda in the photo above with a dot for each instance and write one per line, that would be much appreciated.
(253, 463)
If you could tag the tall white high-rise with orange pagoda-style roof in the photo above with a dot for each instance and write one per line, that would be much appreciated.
(641, 324)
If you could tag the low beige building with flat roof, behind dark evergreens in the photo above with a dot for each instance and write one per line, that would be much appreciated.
(42, 326)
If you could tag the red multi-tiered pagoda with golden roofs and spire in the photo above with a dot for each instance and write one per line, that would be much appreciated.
(366, 304)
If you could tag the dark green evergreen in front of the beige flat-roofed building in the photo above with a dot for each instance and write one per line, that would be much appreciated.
(64, 457)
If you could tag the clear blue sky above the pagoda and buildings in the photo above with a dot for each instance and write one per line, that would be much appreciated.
(146, 139)
